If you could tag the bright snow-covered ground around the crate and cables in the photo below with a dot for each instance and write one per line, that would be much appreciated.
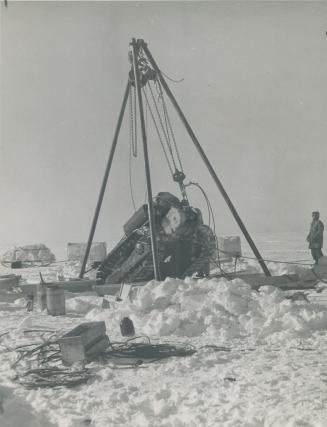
(273, 374)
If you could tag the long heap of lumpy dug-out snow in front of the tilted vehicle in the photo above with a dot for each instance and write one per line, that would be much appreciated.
(218, 310)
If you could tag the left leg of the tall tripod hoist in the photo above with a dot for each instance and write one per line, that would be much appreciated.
(104, 182)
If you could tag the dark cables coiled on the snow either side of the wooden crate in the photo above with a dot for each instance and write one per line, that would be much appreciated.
(45, 356)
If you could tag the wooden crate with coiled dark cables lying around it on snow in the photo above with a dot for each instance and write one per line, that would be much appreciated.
(61, 362)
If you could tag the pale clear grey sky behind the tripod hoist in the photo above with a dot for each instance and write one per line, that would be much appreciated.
(254, 91)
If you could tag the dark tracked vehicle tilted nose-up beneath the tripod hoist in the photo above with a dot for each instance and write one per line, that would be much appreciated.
(185, 244)
